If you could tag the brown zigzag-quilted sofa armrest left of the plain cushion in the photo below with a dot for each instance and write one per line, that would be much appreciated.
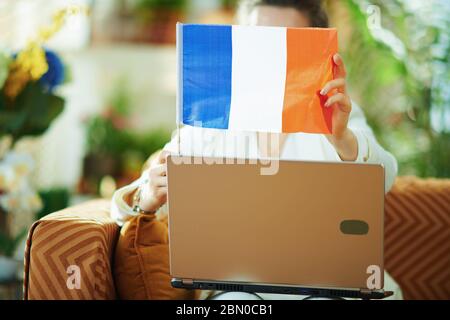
(79, 240)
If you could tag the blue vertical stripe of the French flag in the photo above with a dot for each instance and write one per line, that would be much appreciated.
(207, 61)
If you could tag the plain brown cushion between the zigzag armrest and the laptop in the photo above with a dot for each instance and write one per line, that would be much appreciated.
(141, 266)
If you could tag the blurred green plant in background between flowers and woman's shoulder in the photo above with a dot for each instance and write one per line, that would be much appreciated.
(114, 147)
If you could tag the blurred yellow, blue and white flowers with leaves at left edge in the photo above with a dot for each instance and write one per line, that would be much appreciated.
(28, 105)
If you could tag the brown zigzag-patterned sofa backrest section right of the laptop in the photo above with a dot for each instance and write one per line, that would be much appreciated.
(417, 237)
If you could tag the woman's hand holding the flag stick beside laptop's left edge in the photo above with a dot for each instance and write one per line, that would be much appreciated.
(154, 193)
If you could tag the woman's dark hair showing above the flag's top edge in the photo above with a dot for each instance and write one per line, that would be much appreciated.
(312, 8)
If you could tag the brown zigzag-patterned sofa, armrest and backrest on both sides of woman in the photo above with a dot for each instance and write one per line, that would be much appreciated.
(417, 245)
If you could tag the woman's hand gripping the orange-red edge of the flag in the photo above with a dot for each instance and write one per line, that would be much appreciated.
(342, 138)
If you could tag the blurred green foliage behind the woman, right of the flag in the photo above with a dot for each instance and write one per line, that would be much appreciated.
(397, 55)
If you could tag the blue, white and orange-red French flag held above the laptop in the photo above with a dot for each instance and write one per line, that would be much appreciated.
(254, 78)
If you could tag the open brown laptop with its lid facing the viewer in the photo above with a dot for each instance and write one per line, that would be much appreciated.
(313, 228)
